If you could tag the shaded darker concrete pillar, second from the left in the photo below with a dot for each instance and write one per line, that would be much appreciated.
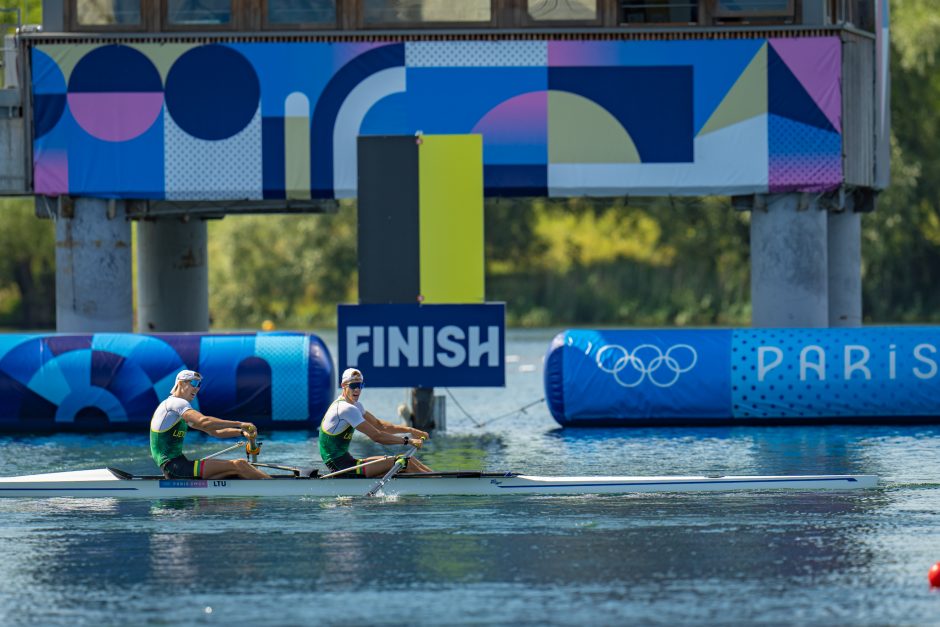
(172, 275)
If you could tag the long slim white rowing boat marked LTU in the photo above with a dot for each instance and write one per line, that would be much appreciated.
(111, 482)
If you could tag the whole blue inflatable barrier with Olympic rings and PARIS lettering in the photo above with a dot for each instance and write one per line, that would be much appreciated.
(753, 376)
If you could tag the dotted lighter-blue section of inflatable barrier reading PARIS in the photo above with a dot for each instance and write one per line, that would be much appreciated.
(803, 373)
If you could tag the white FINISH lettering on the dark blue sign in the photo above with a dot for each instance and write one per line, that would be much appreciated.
(425, 346)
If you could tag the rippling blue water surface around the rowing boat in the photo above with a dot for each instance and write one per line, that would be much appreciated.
(765, 558)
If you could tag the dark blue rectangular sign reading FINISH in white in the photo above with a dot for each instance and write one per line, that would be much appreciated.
(424, 345)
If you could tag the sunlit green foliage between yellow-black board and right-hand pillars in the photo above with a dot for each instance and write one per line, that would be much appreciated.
(606, 261)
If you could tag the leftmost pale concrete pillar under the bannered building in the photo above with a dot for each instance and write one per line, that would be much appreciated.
(93, 267)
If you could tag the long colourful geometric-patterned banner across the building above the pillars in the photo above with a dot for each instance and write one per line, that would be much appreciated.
(275, 120)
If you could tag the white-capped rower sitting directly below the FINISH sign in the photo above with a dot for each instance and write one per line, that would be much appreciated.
(347, 414)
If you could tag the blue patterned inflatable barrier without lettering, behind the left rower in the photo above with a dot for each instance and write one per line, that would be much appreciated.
(114, 381)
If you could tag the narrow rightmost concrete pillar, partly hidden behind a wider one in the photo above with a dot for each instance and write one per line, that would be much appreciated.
(845, 269)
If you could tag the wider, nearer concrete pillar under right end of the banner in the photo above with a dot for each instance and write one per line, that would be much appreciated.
(789, 262)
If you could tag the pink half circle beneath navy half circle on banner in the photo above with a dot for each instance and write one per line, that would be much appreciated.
(116, 116)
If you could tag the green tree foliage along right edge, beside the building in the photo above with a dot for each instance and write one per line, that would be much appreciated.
(901, 239)
